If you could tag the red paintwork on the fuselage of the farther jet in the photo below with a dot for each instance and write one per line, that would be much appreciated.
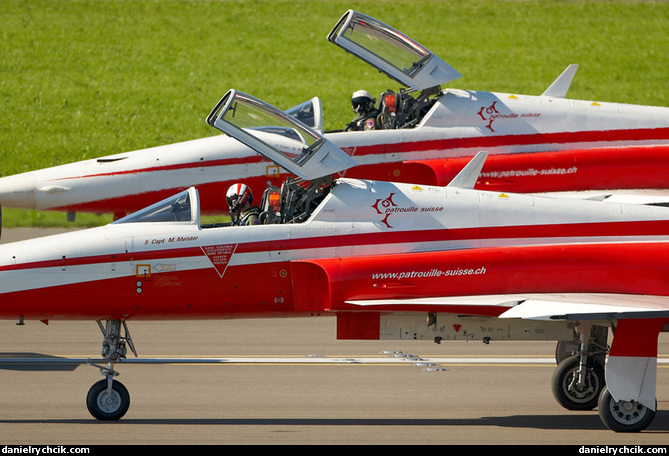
(591, 174)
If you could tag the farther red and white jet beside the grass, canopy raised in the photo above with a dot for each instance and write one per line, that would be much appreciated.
(421, 134)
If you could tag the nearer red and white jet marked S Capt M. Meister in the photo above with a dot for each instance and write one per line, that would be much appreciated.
(389, 260)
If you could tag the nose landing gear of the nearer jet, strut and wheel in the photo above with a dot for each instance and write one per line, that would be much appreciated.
(108, 399)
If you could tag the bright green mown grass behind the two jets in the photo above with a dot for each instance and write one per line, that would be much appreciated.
(85, 78)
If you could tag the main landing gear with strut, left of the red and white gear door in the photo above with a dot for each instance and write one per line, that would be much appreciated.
(579, 378)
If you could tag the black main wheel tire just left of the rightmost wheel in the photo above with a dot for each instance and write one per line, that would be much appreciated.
(570, 397)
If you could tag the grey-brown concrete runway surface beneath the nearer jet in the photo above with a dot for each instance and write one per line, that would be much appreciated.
(289, 381)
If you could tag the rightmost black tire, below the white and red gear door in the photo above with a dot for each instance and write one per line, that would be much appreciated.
(623, 416)
